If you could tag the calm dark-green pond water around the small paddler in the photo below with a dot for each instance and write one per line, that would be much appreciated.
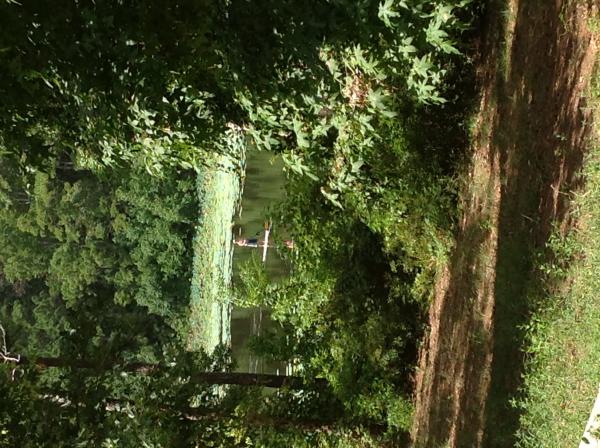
(263, 188)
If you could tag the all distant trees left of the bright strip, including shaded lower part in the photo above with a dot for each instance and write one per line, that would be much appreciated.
(95, 274)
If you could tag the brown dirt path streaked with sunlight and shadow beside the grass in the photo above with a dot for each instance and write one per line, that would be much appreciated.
(534, 65)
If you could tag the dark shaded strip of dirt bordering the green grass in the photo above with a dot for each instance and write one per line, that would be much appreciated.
(541, 132)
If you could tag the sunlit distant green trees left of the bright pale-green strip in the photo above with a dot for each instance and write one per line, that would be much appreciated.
(122, 235)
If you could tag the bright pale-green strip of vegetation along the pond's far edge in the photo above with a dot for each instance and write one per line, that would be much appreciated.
(219, 191)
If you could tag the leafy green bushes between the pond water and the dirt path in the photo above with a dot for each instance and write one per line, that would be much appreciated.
(369, 200)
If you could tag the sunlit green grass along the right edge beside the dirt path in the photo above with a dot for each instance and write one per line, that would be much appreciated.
(563, 338)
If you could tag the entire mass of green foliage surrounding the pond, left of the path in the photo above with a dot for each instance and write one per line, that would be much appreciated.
(110, 110)
